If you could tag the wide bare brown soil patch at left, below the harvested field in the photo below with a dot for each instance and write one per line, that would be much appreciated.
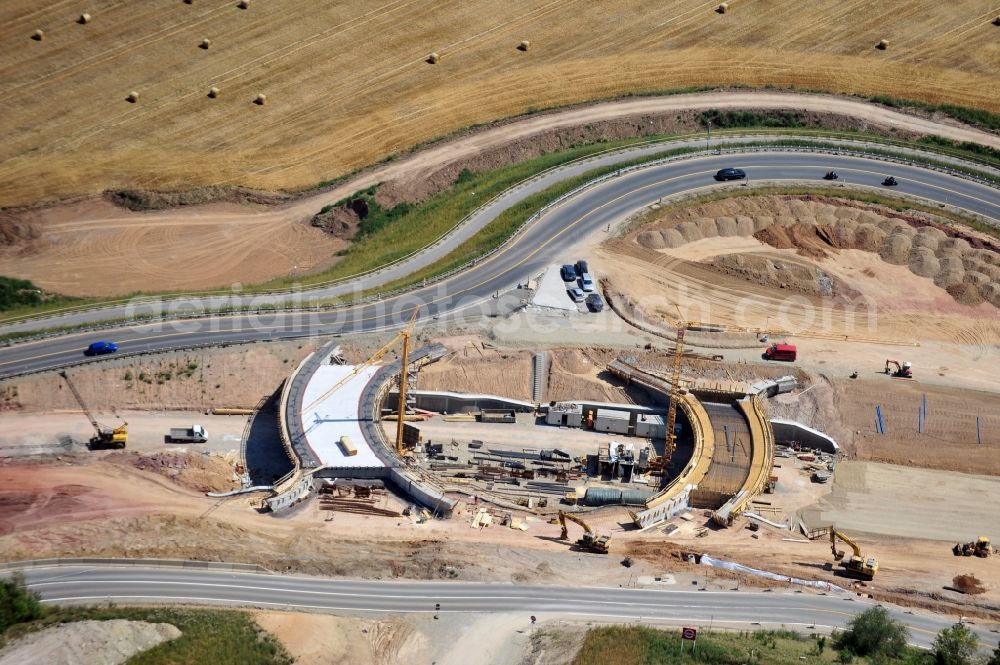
(92, 248)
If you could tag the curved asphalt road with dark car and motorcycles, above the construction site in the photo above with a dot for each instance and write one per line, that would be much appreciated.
(470, 292)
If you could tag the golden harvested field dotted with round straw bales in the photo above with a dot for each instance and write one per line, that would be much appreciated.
(291, 93)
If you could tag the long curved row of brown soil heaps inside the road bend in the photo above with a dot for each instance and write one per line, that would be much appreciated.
(968, 268)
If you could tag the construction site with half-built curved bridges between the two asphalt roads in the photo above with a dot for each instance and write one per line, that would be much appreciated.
(824, 455)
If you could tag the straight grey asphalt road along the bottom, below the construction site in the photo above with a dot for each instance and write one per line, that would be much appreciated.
(807, 610)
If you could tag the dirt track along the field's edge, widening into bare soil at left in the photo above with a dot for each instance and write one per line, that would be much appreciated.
(92, 248)
